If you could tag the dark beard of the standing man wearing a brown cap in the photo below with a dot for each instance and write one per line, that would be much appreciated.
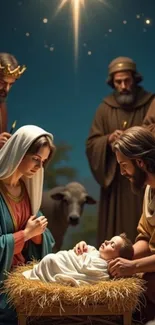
(125, 98)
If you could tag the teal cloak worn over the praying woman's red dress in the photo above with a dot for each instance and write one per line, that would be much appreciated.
(32, 251)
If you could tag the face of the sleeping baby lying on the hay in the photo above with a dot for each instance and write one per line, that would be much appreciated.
(110, 248)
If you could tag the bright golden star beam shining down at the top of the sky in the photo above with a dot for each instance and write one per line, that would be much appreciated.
(76, 7)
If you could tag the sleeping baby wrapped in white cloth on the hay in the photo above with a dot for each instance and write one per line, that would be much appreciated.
(81, 265)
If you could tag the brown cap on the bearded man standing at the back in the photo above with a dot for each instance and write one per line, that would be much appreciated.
(122, 64)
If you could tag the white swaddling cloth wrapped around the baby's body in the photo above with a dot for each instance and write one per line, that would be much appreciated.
(68, 268)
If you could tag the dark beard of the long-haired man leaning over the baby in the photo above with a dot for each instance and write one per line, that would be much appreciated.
(138, 179)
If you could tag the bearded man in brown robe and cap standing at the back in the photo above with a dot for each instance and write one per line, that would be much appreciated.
(128, 105)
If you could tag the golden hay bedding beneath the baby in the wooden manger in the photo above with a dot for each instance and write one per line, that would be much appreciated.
(28, 295)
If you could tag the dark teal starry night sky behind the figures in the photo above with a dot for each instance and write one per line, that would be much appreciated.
(56, 94)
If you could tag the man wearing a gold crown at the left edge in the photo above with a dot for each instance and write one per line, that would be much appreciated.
(10, 71)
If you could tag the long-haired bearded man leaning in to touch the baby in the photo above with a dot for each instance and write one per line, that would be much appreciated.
(135, 153)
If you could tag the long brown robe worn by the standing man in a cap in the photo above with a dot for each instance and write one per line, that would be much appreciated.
(119, 208)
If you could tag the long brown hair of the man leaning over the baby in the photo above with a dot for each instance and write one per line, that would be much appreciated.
(138, 143)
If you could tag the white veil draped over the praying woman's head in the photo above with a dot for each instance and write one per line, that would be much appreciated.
(12, 154)
